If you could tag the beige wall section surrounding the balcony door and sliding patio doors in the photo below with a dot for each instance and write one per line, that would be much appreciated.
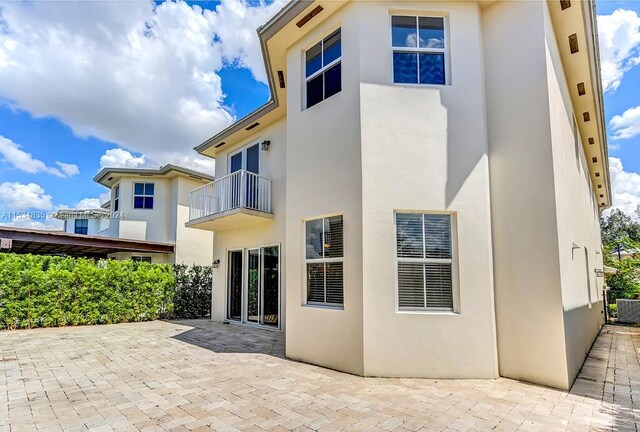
(262, 233)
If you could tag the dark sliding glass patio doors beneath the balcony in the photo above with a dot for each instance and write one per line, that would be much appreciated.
(254, 286)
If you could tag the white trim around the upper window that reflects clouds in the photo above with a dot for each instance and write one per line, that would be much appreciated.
(446, 50)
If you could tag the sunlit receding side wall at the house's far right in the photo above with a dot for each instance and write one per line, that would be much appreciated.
(578, 218)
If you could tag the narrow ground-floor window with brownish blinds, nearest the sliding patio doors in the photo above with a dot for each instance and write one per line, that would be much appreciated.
(324, 259)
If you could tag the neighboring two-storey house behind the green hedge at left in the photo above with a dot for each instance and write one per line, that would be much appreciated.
(149, 205)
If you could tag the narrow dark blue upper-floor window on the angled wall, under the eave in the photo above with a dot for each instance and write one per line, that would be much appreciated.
(323, 70)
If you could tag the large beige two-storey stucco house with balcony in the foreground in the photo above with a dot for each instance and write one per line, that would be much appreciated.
(420, 196)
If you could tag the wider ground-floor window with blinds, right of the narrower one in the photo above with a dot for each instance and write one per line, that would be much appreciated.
(425, 261)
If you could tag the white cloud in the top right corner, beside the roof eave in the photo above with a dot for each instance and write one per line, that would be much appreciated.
(619, 35)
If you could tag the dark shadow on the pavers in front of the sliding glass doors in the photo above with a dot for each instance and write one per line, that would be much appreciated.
(231, 338)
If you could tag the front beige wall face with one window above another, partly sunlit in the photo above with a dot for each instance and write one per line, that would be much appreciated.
(424, 148)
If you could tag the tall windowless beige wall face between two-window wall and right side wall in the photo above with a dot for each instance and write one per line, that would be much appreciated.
(524, 218)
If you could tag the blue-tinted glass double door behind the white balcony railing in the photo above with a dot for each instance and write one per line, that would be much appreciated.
(247, 159)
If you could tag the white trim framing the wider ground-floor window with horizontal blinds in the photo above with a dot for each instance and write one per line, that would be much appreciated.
(456, 309)
